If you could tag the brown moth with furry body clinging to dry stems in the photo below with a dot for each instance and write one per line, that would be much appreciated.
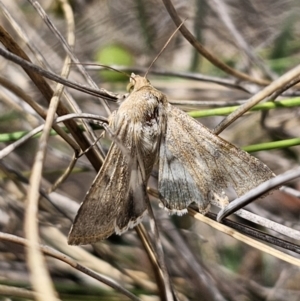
(194, 166)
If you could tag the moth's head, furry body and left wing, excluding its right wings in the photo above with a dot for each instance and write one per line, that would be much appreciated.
(117, 199)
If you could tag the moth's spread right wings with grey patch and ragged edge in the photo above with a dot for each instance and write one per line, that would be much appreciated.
(195, 165)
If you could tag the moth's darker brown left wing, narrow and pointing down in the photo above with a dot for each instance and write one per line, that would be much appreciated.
(115, 202)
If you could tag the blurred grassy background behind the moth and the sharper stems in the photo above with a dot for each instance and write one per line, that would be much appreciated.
(259, 38)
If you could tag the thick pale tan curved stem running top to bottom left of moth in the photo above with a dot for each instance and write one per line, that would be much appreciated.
(40, 277)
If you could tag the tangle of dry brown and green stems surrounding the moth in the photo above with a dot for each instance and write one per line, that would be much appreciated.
(250, 47)
